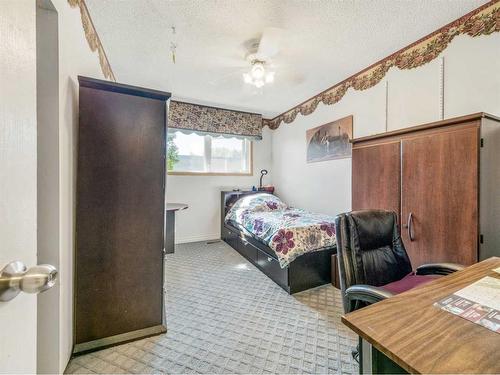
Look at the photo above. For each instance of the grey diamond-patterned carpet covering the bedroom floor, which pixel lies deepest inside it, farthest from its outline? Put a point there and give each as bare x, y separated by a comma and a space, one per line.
225, 316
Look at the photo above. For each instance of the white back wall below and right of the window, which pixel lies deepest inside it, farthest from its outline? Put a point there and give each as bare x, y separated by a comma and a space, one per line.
201, 221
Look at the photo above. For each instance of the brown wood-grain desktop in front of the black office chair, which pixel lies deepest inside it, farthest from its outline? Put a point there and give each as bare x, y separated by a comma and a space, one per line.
421, 338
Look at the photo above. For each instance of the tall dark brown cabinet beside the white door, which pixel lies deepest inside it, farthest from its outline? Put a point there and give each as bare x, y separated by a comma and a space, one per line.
120, 214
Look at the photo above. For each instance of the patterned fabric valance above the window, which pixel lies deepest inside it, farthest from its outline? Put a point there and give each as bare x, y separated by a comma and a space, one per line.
199, 118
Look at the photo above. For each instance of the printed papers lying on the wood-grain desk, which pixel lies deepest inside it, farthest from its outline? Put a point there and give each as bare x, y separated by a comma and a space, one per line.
478, 303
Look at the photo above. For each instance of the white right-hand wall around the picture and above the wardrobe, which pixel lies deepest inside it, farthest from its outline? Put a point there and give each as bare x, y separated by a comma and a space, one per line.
471, 84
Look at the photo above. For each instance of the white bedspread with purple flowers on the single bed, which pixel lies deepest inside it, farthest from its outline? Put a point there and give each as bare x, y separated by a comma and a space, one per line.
289, 231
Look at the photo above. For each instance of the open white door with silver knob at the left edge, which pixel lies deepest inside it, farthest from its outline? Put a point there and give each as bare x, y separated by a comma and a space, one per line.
18, 179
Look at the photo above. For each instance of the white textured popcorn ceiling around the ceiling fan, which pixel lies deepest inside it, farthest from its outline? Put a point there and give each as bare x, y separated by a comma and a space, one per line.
325, 42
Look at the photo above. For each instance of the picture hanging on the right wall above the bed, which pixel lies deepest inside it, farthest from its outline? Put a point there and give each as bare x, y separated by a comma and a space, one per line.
330, 141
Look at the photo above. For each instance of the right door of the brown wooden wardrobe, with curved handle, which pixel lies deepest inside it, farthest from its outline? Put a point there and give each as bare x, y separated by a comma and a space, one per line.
439, 209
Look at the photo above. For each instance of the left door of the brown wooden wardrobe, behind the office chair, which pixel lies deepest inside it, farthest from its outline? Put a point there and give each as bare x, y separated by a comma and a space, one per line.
376, 177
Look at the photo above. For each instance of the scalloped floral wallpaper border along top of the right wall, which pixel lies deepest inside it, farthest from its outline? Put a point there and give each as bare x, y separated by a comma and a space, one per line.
484, 20
